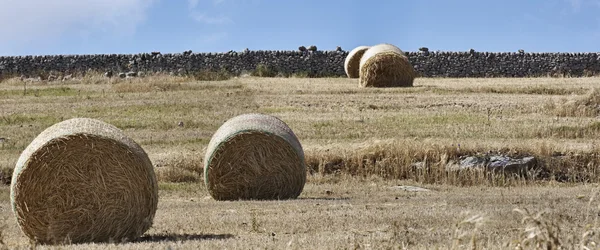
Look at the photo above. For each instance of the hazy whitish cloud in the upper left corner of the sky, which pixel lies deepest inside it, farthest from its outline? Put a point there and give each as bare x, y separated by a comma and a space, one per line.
35, 21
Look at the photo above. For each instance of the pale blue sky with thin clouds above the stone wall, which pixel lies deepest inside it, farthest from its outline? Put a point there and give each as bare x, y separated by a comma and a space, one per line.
36, 27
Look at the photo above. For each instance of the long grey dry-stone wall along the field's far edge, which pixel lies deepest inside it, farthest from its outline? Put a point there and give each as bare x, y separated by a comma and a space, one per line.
328, 63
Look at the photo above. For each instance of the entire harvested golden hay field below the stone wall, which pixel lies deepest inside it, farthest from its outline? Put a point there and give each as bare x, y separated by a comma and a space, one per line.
361, 145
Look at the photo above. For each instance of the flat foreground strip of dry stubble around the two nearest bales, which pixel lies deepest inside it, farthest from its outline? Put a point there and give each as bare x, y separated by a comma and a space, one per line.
347, 212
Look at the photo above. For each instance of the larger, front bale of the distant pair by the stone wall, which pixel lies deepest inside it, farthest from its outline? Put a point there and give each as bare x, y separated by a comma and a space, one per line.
385, 65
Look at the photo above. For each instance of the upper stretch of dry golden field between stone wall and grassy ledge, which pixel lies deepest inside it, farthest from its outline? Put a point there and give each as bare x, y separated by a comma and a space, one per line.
432, 118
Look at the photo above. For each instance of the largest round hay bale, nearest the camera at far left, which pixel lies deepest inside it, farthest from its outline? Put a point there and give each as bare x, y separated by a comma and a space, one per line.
81, 181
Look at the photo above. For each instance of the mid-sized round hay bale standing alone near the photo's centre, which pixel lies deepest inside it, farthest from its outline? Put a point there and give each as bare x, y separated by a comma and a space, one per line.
254, 156
